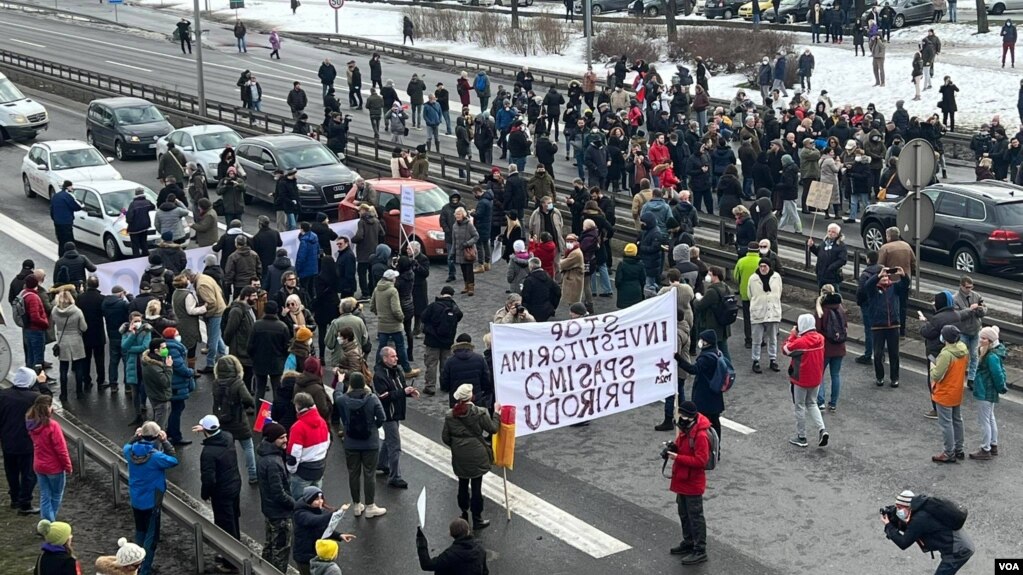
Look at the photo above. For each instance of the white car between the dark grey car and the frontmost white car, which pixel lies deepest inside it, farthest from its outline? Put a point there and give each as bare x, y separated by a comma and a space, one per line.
48, 165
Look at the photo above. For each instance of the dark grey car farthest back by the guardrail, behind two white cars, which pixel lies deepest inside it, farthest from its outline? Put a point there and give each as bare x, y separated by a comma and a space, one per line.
127, 126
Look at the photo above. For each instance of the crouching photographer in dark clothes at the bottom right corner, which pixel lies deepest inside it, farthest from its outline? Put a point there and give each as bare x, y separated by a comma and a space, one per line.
931, 524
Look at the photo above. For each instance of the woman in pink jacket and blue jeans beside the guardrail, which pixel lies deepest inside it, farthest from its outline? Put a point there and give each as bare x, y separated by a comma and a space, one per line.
52, 461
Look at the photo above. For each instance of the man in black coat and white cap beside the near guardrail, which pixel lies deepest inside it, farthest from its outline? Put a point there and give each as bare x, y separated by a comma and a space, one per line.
221, 482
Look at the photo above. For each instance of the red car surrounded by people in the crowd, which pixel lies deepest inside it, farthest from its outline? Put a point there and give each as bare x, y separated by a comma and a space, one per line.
429, 201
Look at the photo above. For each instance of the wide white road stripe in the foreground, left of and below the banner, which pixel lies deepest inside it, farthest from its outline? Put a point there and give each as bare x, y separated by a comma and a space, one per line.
548, 517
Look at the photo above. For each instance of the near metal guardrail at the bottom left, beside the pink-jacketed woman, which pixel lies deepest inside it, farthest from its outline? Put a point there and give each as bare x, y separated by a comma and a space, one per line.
88, 447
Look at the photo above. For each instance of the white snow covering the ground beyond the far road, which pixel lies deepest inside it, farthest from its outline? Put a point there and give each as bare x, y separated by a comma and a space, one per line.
972, 61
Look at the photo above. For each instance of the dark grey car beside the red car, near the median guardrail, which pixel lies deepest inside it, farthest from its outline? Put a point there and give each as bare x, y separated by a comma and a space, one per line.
324, 181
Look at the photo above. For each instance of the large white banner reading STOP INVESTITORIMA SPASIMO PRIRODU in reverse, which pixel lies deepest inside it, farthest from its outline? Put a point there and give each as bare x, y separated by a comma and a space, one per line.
563, 373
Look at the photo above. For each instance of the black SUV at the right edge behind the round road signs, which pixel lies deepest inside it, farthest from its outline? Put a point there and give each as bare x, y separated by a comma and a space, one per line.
977, 226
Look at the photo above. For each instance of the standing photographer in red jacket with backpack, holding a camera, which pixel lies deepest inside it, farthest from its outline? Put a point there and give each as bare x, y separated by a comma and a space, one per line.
690, 455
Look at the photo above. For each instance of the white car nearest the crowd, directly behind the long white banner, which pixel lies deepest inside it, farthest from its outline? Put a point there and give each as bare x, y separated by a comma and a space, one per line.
102, 225
